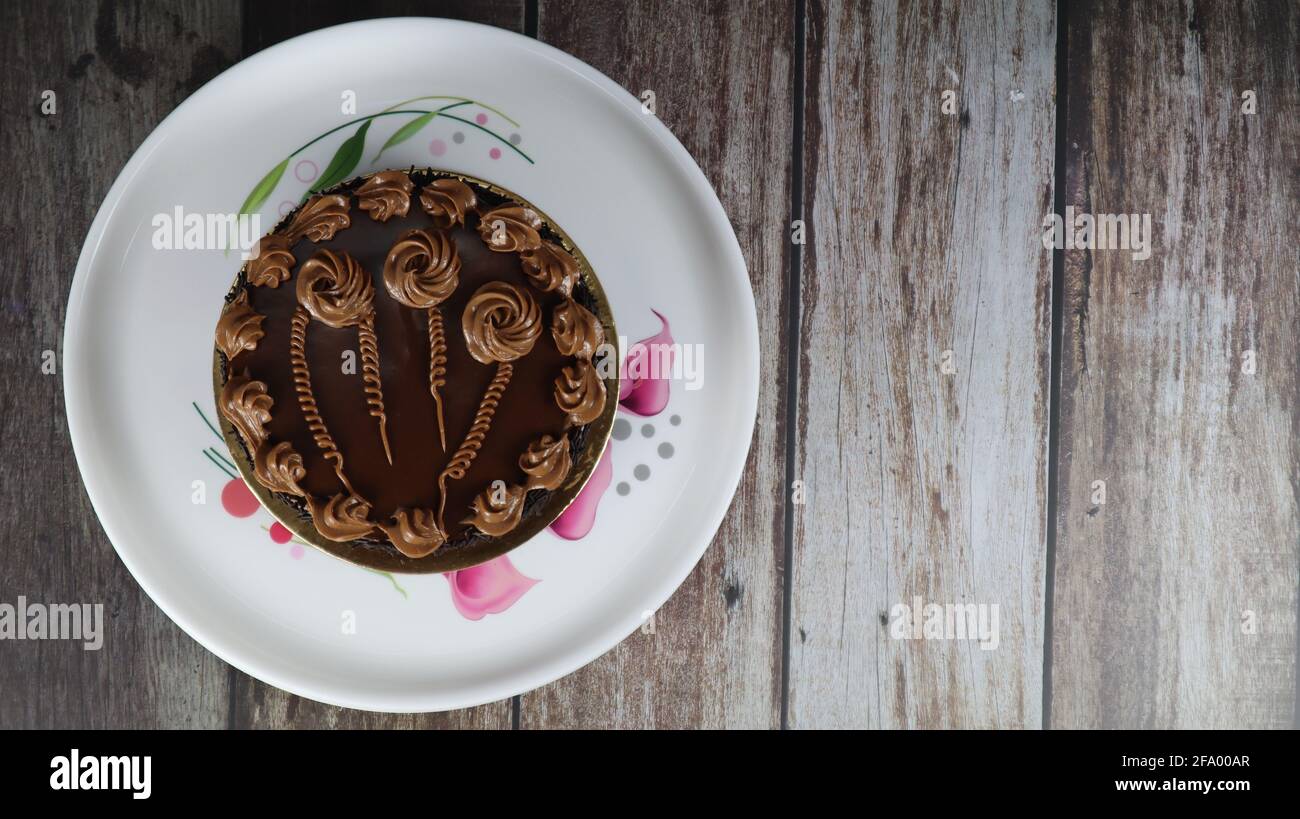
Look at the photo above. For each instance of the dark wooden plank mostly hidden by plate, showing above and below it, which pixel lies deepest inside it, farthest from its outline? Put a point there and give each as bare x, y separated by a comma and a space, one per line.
254, 704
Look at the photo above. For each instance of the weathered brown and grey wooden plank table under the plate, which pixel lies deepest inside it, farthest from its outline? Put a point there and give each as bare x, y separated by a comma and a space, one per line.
1106, 448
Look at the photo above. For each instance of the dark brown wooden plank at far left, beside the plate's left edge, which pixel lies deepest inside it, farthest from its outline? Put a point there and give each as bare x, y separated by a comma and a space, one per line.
116, 73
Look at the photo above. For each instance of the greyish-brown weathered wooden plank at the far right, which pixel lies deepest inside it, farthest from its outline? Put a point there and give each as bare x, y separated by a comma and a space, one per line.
1202, 521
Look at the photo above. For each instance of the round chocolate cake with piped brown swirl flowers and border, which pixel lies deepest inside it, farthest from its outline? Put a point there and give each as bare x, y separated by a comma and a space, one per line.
413, 371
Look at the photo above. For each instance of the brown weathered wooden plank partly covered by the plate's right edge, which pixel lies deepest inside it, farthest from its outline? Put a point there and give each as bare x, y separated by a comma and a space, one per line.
722, 84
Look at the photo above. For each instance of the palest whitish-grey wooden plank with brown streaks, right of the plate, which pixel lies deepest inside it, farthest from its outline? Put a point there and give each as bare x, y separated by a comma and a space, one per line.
922, 483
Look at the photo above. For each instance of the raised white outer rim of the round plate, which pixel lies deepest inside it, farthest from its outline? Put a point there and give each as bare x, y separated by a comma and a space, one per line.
608, 638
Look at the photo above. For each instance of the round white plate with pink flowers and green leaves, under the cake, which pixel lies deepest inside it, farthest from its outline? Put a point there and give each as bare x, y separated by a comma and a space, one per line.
138, 340
